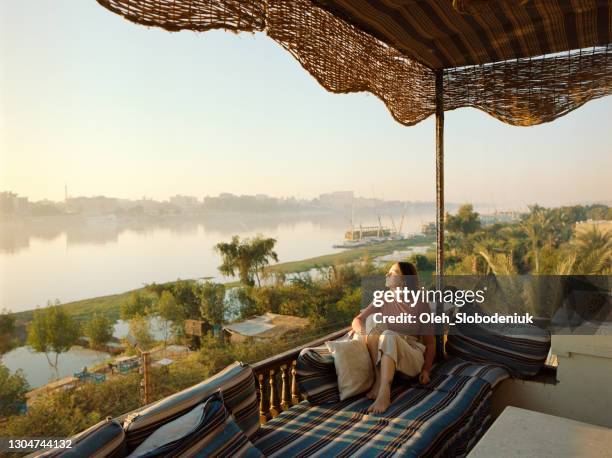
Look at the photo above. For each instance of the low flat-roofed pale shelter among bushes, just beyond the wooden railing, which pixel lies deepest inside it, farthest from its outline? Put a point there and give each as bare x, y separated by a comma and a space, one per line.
264, 327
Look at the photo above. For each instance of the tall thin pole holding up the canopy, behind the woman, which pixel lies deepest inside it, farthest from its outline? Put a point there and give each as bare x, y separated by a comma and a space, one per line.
439, 205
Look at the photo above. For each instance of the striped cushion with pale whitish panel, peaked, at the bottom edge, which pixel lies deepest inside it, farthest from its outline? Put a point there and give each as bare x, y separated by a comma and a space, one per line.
207, 431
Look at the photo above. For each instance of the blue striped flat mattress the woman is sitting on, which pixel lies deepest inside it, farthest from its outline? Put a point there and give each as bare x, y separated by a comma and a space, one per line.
444, 418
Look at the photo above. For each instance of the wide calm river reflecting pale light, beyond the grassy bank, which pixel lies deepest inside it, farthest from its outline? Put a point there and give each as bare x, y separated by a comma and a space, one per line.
71, 259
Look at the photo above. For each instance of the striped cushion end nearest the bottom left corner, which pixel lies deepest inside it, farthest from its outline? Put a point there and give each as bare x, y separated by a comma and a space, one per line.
104, 439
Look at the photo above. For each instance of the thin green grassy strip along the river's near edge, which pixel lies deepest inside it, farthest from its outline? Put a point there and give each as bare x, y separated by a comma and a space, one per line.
109, 305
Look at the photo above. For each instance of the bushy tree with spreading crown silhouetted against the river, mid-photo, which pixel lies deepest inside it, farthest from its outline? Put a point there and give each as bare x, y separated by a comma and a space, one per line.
248, 258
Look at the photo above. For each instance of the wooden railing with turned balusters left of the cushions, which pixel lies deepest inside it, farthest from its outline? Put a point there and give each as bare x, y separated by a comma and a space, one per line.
276, 378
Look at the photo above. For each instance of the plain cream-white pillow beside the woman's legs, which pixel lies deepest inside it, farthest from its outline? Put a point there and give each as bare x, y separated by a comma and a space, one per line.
353, 366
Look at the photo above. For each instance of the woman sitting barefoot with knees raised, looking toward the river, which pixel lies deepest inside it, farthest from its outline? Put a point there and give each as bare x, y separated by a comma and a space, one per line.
408, 348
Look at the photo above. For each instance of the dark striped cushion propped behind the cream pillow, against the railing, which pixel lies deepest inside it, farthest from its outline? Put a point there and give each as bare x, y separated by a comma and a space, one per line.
316, 375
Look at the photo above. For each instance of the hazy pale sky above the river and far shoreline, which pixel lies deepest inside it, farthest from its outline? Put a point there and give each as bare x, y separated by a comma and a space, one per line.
109, 107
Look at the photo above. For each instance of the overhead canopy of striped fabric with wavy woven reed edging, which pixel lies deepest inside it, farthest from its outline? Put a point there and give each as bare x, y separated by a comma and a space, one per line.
495, 55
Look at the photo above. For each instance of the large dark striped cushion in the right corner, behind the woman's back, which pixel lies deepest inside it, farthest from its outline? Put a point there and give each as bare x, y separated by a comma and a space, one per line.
521, 349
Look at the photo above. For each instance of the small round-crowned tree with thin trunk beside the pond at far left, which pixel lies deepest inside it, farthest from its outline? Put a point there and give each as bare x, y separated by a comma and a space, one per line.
52, 330
